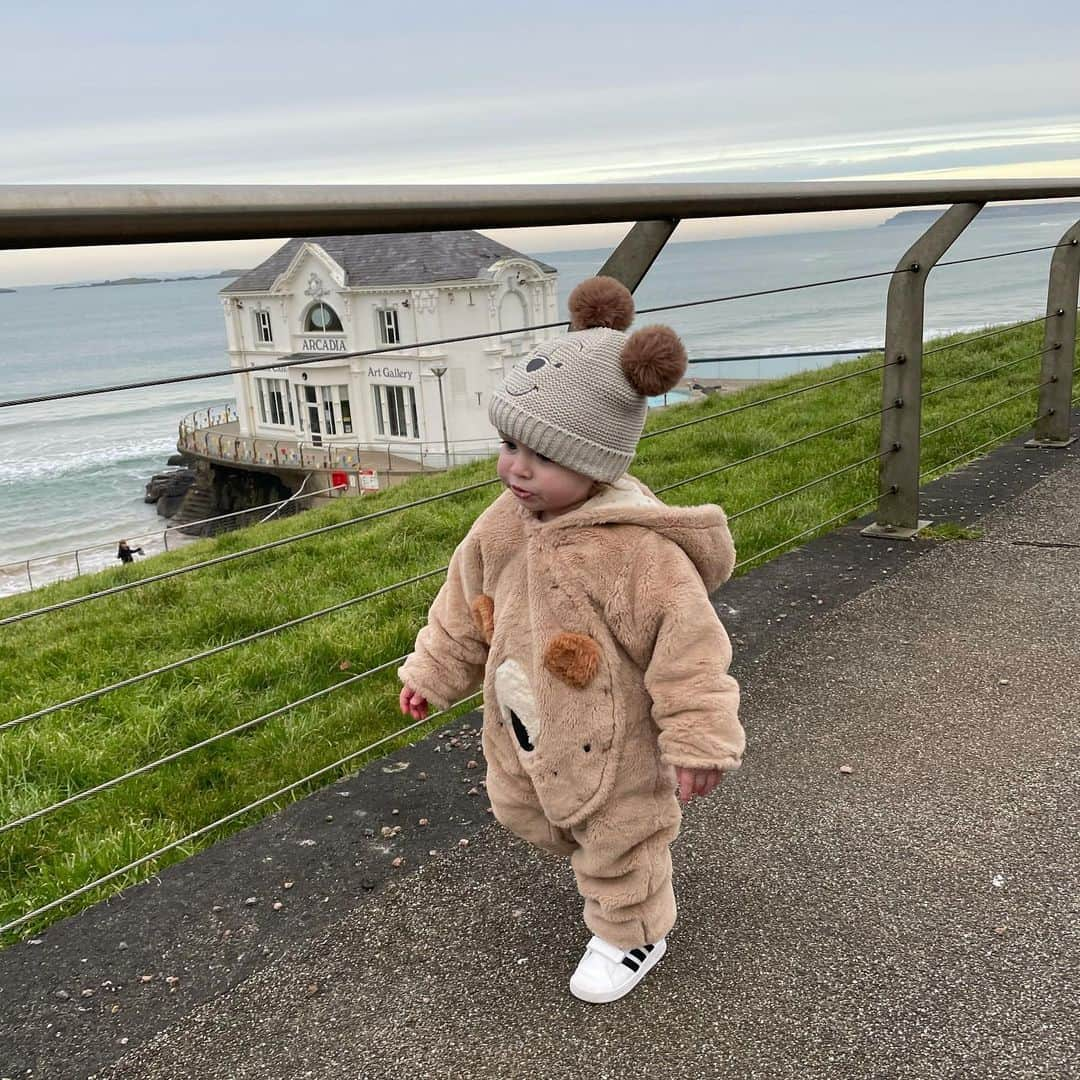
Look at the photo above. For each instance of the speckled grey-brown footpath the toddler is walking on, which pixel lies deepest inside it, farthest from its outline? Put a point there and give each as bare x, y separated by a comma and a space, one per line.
915, 917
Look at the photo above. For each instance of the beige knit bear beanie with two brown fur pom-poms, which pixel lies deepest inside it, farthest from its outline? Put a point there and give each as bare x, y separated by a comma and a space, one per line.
582, 399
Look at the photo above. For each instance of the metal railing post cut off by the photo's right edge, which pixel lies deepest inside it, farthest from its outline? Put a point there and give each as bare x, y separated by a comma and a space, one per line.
1052, 426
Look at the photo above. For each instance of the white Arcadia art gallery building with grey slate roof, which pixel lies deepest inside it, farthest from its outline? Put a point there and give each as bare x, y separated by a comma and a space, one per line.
347, 294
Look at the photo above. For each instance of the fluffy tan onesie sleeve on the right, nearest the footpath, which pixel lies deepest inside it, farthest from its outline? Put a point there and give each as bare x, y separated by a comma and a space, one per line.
685, 654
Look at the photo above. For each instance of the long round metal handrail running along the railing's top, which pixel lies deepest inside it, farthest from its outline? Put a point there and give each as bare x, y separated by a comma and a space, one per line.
64, 217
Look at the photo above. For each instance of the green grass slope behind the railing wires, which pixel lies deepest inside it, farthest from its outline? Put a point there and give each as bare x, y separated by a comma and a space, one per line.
59, 656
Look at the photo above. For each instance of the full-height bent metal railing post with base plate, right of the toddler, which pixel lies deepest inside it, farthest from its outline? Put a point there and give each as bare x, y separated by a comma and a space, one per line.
898, 512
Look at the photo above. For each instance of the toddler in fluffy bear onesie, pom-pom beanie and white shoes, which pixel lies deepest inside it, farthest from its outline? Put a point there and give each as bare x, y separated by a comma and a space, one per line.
580, 602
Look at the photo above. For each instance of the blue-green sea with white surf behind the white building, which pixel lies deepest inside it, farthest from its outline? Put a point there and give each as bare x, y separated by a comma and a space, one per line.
73, 472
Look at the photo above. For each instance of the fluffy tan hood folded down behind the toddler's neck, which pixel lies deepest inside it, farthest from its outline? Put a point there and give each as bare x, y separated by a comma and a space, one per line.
701, 532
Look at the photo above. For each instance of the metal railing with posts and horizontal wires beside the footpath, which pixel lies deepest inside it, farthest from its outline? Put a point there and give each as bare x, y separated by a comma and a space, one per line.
898, 460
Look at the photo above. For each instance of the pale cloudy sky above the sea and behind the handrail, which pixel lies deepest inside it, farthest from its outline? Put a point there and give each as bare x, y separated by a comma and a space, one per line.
327, 92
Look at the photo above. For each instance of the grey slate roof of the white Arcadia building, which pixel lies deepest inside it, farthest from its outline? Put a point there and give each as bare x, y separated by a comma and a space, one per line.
390, 259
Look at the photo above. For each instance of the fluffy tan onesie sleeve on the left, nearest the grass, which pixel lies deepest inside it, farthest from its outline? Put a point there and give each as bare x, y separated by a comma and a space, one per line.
448, 661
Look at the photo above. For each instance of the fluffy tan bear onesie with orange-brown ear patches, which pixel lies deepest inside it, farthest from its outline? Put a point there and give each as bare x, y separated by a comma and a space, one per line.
604, 667
